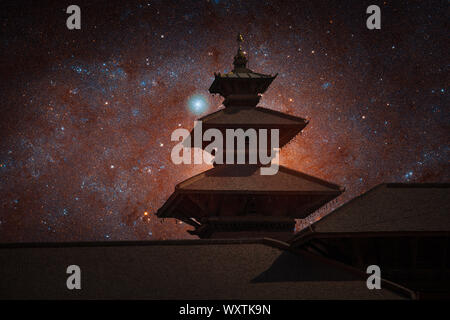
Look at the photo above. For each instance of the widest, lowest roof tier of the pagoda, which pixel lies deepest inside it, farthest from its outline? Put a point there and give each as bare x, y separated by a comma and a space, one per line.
239, 190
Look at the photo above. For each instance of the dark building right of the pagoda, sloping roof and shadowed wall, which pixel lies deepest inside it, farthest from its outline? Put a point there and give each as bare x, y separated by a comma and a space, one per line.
403, 228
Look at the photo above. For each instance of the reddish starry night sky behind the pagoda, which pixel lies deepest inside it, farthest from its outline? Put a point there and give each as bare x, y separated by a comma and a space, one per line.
86, 115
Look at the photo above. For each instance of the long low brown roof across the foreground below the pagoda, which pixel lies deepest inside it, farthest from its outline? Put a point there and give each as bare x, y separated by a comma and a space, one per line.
189, 269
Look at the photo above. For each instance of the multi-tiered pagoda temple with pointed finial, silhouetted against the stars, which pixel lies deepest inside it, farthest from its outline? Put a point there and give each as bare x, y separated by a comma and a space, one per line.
236, 200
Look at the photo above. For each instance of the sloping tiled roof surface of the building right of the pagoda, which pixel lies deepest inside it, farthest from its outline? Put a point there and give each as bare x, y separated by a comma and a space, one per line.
392, 207
